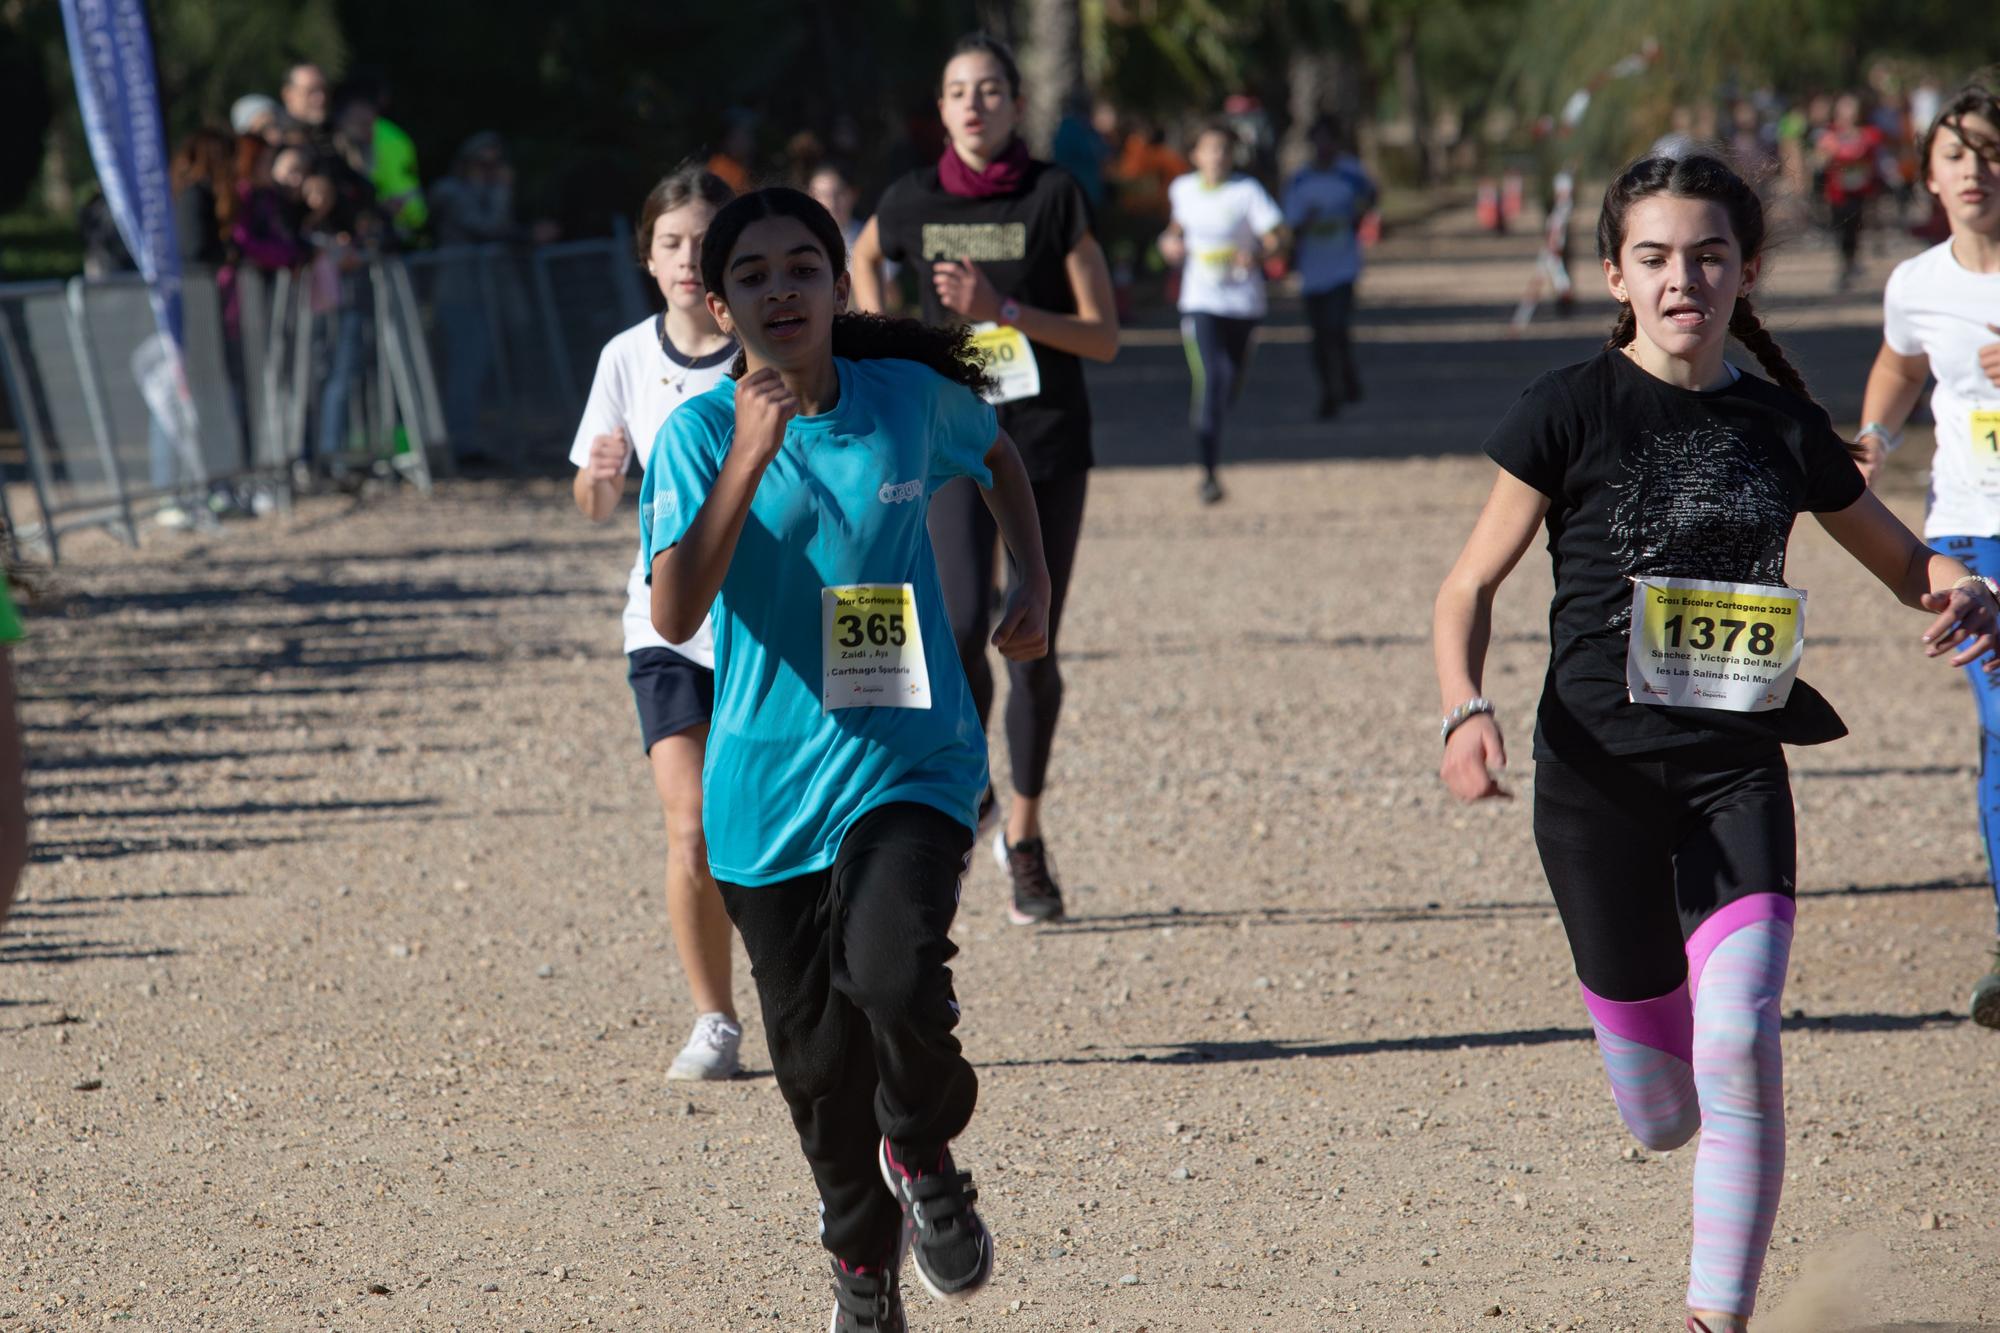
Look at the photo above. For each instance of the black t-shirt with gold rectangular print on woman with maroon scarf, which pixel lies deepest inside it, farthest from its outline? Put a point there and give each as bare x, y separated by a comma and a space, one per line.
1021, 243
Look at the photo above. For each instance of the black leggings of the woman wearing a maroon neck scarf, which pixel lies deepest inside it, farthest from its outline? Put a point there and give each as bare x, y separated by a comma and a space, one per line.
963, 535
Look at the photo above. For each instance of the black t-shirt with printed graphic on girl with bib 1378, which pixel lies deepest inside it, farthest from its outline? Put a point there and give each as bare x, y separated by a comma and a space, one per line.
1647, 479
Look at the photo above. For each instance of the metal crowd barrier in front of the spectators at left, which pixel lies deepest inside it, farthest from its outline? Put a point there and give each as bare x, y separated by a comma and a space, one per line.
453, 353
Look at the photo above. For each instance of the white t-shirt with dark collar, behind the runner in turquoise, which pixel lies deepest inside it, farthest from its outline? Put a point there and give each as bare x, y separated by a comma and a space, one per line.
641, 381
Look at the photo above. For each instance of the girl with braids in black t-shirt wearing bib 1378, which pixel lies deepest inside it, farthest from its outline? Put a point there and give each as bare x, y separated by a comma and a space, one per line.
1663, 812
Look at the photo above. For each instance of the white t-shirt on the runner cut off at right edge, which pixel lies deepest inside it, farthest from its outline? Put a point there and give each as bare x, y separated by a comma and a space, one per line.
1937, 309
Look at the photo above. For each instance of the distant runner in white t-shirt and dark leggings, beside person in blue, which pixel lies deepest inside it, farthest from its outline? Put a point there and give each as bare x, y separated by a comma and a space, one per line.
1225, 225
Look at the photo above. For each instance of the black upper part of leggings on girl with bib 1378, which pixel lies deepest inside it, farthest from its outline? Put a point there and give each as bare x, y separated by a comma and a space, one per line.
1643, 850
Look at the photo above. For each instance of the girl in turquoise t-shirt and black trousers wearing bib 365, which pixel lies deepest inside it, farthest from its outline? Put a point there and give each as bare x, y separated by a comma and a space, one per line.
845, 760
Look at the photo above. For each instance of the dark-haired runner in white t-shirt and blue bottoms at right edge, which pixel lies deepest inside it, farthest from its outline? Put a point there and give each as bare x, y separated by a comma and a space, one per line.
1941, 317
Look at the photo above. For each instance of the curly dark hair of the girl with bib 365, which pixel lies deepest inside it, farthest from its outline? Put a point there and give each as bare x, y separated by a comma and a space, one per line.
857, 337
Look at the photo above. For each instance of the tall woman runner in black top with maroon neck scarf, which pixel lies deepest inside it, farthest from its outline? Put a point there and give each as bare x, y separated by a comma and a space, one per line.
1003, 243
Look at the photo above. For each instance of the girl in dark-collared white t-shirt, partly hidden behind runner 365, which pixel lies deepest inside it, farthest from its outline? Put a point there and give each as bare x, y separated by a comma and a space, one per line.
643, 375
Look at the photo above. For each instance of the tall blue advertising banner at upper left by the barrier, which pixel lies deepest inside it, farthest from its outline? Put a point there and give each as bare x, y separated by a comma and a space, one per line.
111, 55
